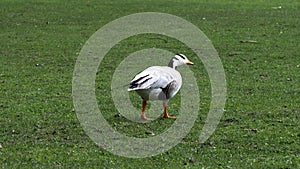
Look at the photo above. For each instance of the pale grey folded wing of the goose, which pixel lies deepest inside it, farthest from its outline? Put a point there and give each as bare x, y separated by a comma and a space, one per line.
151, 78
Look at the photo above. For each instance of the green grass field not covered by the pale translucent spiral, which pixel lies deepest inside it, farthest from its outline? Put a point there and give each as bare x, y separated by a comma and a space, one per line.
40, 42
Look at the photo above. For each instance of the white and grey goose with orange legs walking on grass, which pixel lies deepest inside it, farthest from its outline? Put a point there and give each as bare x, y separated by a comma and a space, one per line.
159, 83
